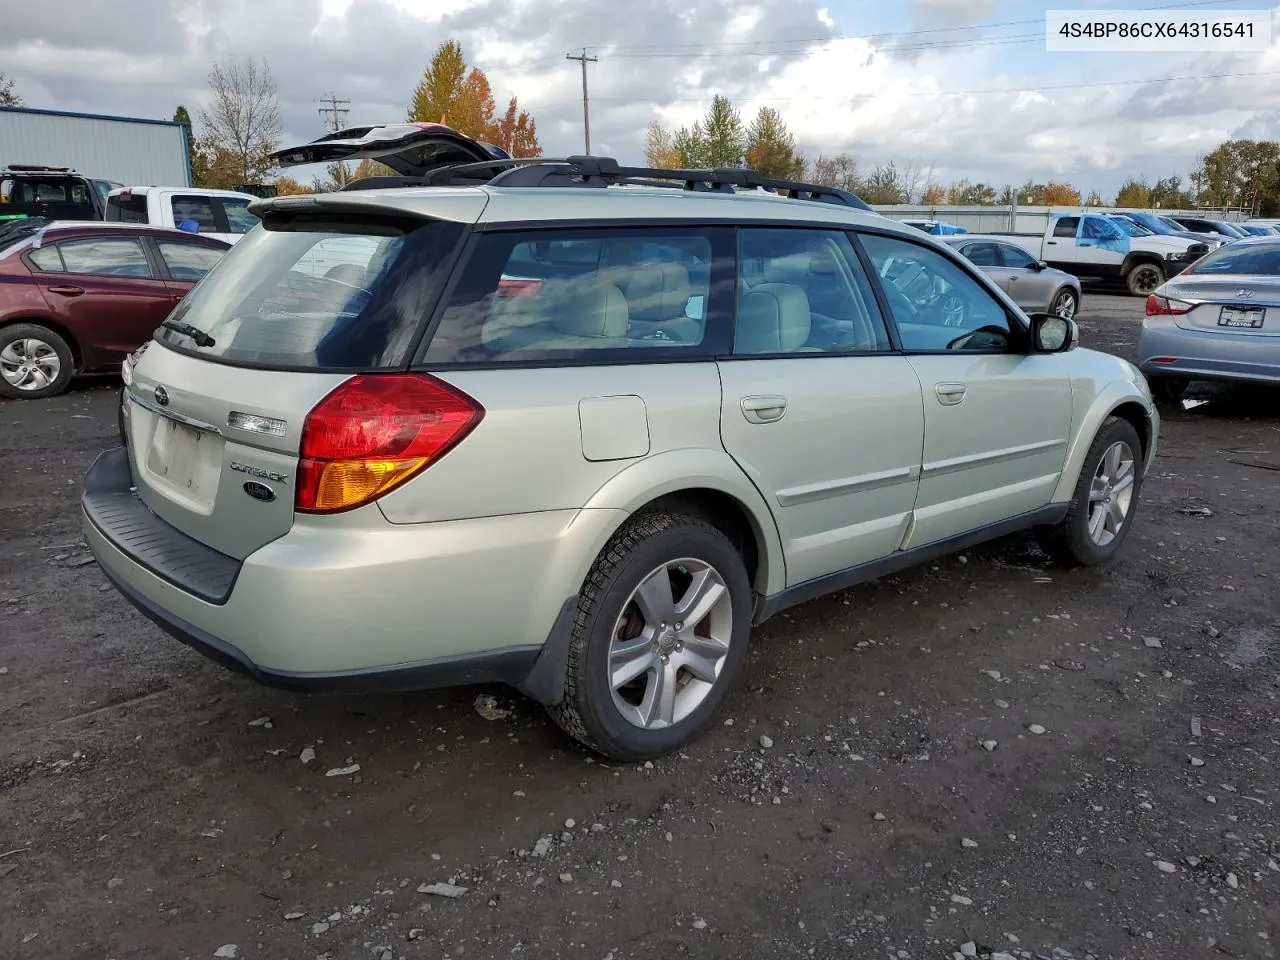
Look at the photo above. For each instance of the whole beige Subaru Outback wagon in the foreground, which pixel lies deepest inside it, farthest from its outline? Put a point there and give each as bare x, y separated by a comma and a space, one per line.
578, 428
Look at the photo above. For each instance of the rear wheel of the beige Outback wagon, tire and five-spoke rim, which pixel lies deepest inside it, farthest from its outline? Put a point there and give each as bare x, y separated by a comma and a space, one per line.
660, 637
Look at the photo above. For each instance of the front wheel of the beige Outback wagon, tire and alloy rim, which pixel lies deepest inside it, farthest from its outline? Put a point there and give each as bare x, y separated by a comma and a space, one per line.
1105, 501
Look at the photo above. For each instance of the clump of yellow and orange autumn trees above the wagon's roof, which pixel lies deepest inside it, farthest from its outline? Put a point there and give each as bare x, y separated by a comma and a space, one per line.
463, 99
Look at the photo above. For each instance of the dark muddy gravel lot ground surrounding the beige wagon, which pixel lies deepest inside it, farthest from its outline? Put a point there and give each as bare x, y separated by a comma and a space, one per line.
989, 756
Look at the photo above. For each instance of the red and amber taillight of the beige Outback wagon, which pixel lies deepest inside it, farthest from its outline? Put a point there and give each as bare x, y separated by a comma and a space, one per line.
374, 433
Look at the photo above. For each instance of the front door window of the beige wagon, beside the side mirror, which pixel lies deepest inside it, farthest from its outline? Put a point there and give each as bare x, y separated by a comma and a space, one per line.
938, 307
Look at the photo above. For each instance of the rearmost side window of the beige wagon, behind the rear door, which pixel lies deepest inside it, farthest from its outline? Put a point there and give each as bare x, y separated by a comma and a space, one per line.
611, 295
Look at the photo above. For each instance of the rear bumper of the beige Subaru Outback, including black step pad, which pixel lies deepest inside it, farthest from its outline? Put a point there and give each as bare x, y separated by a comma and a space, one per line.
350, 607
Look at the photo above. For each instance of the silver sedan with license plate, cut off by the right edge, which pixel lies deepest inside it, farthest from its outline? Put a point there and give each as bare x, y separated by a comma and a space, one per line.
1218, 321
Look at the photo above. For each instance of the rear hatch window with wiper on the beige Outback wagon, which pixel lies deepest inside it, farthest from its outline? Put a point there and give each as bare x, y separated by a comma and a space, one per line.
318, 294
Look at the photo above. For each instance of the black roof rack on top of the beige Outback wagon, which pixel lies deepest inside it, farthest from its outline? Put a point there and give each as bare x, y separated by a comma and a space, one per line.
605, 172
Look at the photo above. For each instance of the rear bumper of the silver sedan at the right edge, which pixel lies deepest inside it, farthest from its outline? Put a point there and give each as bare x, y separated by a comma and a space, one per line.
1208, 356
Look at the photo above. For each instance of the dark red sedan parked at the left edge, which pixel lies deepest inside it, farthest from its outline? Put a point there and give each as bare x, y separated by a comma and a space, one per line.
79, 298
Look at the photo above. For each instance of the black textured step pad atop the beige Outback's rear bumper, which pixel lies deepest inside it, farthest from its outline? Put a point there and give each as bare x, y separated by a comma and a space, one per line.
136, 532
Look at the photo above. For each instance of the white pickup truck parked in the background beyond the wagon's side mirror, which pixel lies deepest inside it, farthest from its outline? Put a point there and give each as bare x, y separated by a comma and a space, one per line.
1091, 245
